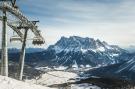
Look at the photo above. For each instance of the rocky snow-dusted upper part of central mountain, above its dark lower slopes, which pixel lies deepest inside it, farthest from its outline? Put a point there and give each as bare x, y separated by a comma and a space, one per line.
75, 43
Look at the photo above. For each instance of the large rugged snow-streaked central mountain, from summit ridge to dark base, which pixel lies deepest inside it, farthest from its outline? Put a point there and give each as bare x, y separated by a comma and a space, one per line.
85, 51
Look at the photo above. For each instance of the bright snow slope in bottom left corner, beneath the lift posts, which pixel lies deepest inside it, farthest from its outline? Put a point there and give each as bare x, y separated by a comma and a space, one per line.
9, 83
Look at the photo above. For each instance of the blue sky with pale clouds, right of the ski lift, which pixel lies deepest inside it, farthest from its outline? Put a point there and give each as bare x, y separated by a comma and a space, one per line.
108, 20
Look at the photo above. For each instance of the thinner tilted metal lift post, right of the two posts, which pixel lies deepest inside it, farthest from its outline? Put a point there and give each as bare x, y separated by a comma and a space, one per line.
22, 57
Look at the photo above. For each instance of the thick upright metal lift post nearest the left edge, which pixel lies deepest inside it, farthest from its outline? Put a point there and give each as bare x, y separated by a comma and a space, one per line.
4, 54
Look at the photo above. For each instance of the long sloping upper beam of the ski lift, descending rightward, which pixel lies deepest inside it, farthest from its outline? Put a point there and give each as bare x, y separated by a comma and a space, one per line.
18, 14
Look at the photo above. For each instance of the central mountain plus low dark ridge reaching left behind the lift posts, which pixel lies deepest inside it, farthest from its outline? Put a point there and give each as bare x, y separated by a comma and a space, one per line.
76, 52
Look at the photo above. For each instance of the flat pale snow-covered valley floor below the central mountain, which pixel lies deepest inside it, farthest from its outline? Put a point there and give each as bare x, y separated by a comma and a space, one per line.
54, 77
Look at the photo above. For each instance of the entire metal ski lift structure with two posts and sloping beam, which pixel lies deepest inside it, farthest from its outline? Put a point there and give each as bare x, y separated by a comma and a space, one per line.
23, 23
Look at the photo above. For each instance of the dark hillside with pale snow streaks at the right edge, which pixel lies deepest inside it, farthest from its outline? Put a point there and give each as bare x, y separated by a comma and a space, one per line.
124, 70
